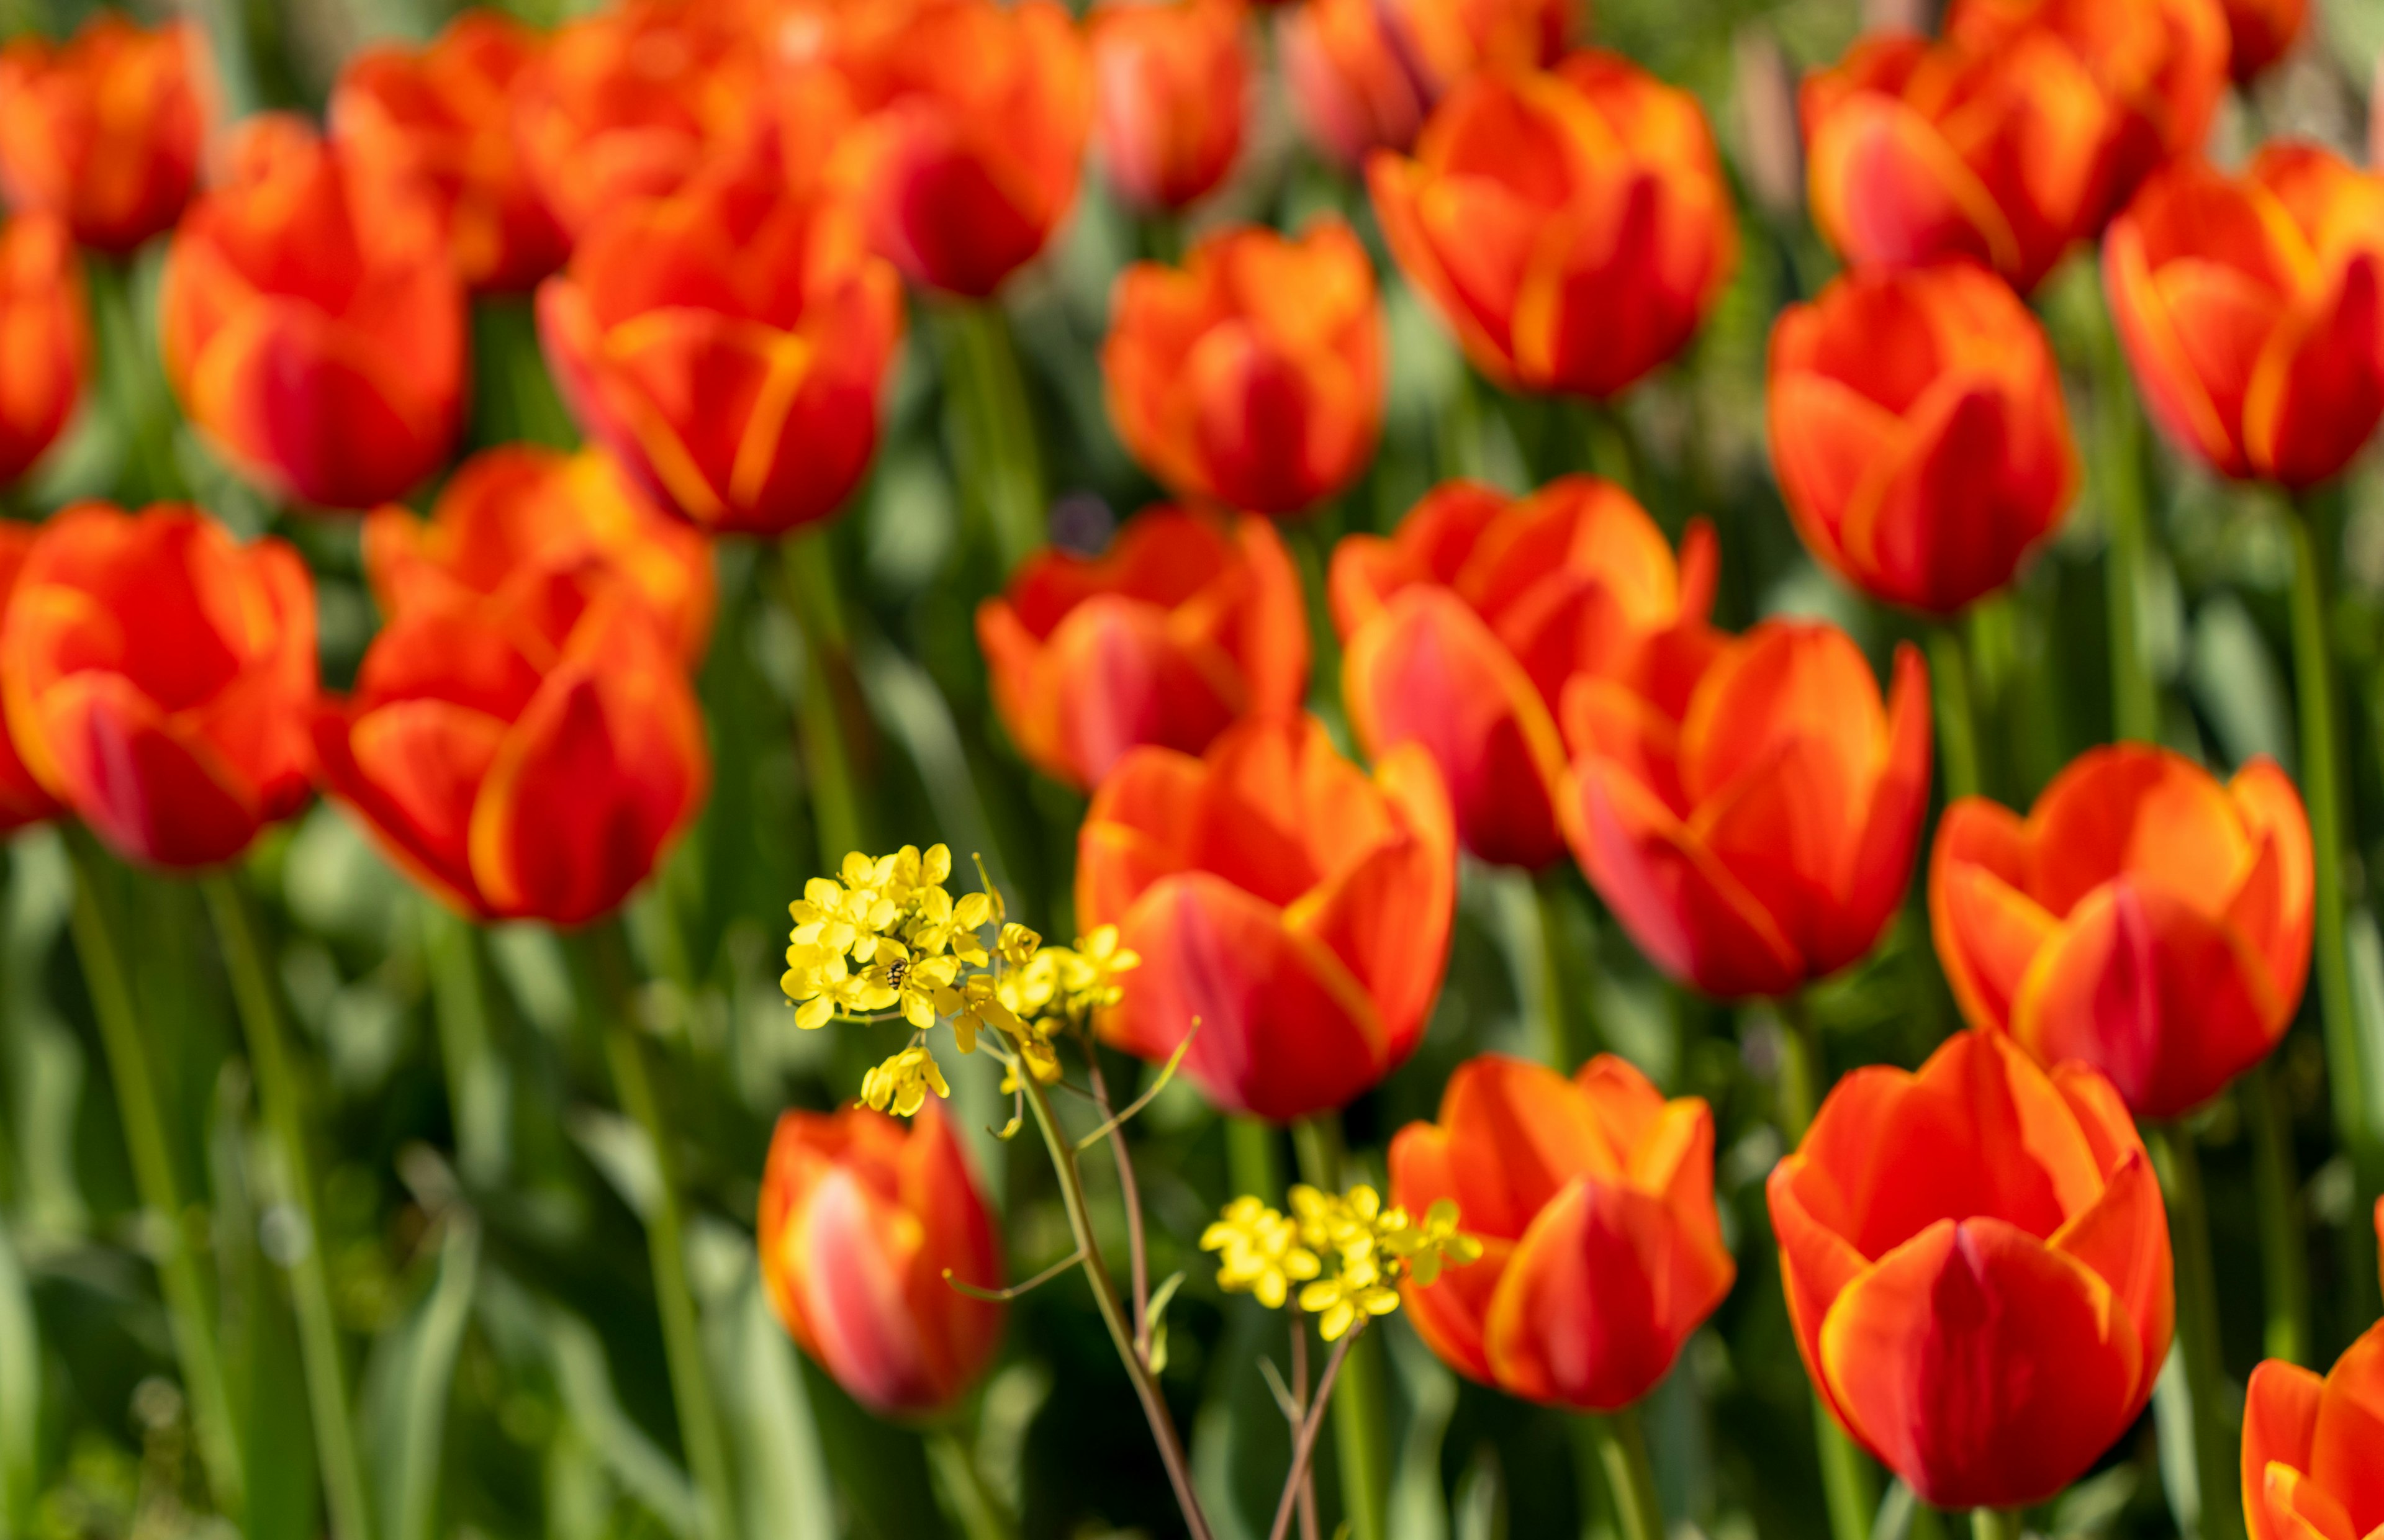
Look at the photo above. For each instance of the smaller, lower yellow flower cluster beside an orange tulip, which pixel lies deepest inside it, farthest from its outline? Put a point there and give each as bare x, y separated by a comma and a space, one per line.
1370, 1250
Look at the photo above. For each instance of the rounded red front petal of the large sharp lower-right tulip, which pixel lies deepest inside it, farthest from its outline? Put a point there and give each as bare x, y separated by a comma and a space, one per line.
1982, 1367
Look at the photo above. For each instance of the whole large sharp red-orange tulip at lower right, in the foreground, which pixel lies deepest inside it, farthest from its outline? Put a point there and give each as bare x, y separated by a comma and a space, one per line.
1978, 1269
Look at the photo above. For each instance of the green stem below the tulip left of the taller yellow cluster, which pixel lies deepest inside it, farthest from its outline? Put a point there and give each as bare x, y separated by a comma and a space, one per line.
666, 1236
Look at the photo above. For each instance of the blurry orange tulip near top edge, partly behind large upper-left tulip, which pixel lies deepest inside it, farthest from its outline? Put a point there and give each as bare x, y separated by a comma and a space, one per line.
442, 116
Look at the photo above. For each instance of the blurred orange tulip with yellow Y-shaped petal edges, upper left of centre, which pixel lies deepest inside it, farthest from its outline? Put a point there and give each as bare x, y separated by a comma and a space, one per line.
728, 344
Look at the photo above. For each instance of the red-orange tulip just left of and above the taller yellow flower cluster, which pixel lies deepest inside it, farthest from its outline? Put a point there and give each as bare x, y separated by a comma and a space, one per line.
528, 757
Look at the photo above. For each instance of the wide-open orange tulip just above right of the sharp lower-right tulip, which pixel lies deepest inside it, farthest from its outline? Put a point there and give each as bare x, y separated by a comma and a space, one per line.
2144, 919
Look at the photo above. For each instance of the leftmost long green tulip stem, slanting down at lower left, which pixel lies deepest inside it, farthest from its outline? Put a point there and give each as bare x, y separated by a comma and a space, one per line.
154, 1176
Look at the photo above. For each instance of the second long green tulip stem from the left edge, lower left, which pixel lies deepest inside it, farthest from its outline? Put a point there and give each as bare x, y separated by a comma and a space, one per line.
311, 1281
